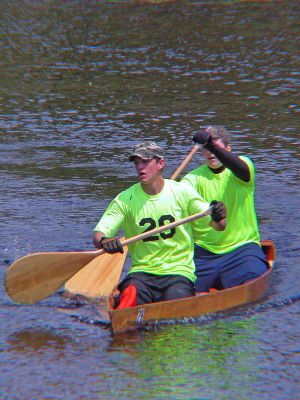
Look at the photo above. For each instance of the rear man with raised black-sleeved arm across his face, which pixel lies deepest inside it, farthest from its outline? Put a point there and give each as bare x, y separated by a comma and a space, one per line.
229, 258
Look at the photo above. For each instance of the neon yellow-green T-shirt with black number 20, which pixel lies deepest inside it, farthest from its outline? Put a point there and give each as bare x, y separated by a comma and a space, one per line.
168, 253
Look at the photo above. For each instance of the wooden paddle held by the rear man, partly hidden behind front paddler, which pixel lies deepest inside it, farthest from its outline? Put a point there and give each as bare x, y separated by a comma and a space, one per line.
100, 276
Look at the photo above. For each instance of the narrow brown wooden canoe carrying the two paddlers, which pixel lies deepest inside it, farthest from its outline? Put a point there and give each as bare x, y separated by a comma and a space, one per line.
215, 301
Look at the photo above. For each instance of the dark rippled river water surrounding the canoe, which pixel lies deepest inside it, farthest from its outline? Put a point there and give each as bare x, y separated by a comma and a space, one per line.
81, 83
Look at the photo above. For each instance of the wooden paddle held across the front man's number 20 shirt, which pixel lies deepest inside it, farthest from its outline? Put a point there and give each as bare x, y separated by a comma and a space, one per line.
36, 276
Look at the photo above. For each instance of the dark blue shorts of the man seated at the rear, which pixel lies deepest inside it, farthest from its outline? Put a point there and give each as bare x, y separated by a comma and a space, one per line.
223, 271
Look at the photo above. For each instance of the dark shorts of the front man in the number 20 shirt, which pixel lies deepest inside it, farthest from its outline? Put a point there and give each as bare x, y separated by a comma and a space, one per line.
152, 288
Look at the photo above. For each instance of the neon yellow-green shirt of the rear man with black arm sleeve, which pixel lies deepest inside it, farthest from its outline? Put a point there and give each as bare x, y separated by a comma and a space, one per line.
238, 197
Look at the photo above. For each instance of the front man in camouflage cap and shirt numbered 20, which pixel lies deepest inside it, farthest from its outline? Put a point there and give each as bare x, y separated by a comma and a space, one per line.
162, 265
